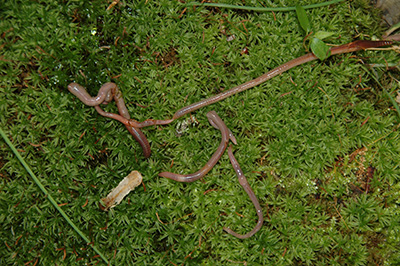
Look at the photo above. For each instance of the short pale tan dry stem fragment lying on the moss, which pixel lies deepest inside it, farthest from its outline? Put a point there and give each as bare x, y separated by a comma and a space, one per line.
128, 184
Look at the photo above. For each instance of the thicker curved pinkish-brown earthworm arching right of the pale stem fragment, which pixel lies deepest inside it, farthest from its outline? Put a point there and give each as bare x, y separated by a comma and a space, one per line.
216, 122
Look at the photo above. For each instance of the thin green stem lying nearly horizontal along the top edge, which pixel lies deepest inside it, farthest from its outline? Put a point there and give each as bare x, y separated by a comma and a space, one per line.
263, 9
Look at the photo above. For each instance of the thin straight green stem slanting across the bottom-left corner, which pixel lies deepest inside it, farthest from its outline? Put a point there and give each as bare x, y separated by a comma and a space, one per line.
49, 197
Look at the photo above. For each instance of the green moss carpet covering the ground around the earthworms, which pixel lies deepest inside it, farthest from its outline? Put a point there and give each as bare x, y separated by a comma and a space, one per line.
319, 144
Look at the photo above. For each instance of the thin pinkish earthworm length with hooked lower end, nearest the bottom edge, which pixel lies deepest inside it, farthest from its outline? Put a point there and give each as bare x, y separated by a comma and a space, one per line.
246, 186
